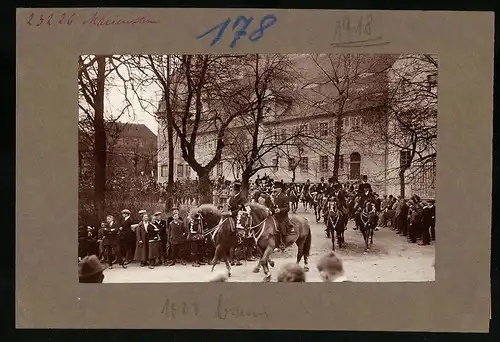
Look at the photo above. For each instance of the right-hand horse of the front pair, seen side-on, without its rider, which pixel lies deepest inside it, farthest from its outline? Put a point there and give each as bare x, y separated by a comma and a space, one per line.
262, 226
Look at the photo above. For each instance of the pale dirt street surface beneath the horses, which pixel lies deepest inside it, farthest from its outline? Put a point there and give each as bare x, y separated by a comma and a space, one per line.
391, 259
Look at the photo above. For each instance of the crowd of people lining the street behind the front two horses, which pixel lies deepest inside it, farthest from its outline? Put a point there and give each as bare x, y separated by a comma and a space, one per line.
153, 239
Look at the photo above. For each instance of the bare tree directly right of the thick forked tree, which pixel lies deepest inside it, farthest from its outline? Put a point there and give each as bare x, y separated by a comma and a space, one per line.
265, 96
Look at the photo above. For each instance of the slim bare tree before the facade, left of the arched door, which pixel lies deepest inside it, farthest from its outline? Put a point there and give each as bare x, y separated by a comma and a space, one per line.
342, 85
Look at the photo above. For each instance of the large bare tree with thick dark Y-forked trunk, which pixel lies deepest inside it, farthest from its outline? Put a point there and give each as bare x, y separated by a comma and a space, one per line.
198, 103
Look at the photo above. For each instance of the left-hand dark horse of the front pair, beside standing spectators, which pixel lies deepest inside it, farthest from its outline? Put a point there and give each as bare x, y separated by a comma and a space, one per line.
220, 228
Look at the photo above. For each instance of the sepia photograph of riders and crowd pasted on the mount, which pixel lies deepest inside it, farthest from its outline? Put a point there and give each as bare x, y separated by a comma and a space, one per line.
257, 168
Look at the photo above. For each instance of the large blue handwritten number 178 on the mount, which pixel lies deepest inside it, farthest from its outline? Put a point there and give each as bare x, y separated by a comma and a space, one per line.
240, 26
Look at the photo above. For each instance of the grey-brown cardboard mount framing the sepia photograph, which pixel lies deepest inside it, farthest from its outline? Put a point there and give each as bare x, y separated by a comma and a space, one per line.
48, 294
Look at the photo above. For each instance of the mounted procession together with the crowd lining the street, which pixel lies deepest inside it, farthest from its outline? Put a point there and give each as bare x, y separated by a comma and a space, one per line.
256, 226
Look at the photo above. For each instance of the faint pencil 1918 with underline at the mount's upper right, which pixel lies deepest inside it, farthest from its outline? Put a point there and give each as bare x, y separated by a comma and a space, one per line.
351, 32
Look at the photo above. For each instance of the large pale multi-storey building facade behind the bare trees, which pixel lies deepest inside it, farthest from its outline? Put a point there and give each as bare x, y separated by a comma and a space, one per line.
317, 120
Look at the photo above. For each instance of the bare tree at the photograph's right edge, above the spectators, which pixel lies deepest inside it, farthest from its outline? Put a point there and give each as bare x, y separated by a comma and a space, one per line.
410, 123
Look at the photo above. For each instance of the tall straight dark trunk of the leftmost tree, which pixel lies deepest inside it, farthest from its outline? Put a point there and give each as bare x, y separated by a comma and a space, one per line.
100, 140
